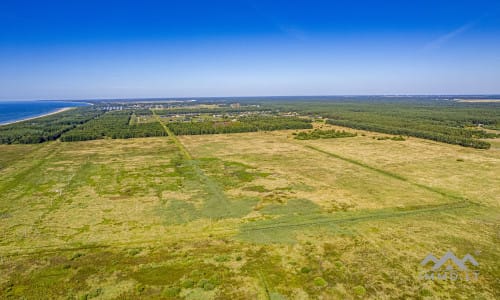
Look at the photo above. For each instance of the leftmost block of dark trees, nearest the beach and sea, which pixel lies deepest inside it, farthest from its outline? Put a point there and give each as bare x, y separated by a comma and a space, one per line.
47, 128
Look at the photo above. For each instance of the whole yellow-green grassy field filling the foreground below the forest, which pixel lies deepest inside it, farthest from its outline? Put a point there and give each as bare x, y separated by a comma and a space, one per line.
246, 216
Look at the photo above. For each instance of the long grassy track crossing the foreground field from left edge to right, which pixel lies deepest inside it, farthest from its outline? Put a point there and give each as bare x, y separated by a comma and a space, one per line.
286, 224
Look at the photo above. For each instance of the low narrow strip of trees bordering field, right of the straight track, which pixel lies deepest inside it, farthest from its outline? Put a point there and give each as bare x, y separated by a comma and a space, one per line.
243, 124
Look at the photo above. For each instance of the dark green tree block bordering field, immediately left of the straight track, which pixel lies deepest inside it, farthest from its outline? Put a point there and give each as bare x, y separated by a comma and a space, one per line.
115, 125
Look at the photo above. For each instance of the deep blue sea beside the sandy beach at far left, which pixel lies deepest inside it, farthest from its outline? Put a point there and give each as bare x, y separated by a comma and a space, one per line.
11, 111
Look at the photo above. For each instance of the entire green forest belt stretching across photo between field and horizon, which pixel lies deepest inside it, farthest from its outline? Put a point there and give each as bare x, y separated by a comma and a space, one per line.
440, 120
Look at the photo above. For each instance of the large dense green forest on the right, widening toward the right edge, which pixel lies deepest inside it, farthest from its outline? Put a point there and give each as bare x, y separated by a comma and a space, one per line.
444, 121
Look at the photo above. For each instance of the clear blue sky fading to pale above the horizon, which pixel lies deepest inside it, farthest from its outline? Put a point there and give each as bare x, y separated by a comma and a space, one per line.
112, 49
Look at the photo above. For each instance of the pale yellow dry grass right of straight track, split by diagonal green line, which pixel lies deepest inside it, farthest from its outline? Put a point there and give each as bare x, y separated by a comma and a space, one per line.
327, 179
